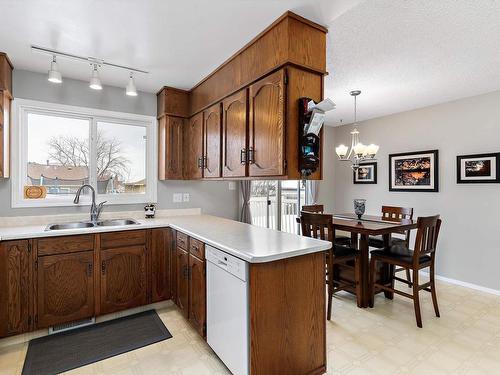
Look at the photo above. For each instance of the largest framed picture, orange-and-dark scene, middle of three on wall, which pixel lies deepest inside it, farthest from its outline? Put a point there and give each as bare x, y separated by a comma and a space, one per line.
414, 171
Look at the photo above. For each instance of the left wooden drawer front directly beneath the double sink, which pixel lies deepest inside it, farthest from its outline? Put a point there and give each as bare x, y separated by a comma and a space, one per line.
66, 244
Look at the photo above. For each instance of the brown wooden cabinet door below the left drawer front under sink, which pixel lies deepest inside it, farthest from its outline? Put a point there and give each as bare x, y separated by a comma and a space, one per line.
65, 289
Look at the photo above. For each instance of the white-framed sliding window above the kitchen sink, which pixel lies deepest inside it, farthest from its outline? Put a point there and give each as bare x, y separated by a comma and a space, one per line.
61, 148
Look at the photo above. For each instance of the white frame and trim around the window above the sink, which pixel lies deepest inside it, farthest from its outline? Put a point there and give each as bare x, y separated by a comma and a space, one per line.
20, 108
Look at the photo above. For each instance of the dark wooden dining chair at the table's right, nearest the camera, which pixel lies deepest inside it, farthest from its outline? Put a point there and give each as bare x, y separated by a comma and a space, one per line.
422, 256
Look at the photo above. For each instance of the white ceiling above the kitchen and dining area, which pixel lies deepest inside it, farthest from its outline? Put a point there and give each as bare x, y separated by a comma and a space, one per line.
402, 54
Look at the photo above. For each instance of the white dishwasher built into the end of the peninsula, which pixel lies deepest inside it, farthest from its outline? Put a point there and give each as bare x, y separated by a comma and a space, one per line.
227, 309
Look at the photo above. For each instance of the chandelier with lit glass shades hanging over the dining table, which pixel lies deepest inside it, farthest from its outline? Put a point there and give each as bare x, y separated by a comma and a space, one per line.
358, 152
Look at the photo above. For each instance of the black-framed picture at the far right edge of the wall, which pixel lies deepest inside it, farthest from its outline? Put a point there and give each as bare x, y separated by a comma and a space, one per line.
479, 168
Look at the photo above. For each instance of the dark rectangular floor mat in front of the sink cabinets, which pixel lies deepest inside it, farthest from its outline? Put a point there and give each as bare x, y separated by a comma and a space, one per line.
68, 350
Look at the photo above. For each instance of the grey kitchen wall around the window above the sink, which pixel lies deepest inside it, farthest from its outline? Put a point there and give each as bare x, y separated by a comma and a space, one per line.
214, 197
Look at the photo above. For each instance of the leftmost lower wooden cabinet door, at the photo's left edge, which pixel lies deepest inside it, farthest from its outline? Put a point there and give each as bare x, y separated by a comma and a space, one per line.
15, 287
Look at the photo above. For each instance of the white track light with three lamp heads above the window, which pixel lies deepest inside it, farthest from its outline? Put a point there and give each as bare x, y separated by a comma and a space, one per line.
95, 81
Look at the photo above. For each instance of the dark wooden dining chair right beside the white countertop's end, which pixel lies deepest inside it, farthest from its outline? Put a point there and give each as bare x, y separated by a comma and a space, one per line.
320, 226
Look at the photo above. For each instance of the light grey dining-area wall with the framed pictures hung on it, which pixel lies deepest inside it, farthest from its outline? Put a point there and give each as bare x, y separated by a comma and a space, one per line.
468, 248
